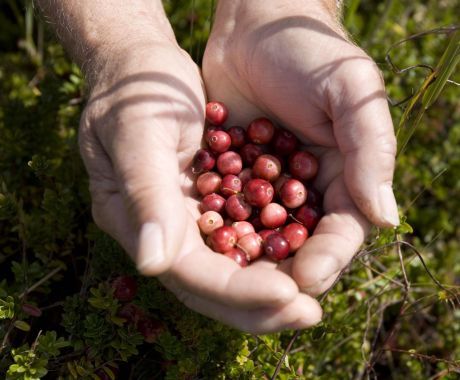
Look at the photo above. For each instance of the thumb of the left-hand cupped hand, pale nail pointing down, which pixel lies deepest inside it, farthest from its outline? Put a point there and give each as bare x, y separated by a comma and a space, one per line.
152, 194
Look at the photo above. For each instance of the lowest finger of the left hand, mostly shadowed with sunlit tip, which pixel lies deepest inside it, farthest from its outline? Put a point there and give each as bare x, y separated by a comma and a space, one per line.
302, 312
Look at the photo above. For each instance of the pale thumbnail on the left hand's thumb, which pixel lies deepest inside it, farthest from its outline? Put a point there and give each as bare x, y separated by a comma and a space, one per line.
151, 248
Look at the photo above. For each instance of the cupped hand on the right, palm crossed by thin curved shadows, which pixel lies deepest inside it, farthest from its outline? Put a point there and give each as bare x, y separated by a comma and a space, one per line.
291, 61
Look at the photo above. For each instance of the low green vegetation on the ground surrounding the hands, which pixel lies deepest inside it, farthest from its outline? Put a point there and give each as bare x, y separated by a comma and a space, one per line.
58, 316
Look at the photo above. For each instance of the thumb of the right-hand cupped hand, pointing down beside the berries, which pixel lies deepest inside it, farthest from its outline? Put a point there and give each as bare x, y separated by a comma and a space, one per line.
364, 132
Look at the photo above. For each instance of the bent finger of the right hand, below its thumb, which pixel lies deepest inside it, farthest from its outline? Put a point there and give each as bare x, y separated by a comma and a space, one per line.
336, 239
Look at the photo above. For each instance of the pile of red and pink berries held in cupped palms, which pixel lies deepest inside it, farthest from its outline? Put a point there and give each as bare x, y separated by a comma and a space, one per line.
256, 191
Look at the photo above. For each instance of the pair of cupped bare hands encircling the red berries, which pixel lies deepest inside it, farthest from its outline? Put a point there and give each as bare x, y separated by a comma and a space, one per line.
145, 120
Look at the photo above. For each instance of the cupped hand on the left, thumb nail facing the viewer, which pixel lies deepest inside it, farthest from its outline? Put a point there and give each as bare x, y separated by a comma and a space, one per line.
139, 132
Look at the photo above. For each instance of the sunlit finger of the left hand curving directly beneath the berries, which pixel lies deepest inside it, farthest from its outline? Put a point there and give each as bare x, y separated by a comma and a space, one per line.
250, 287
